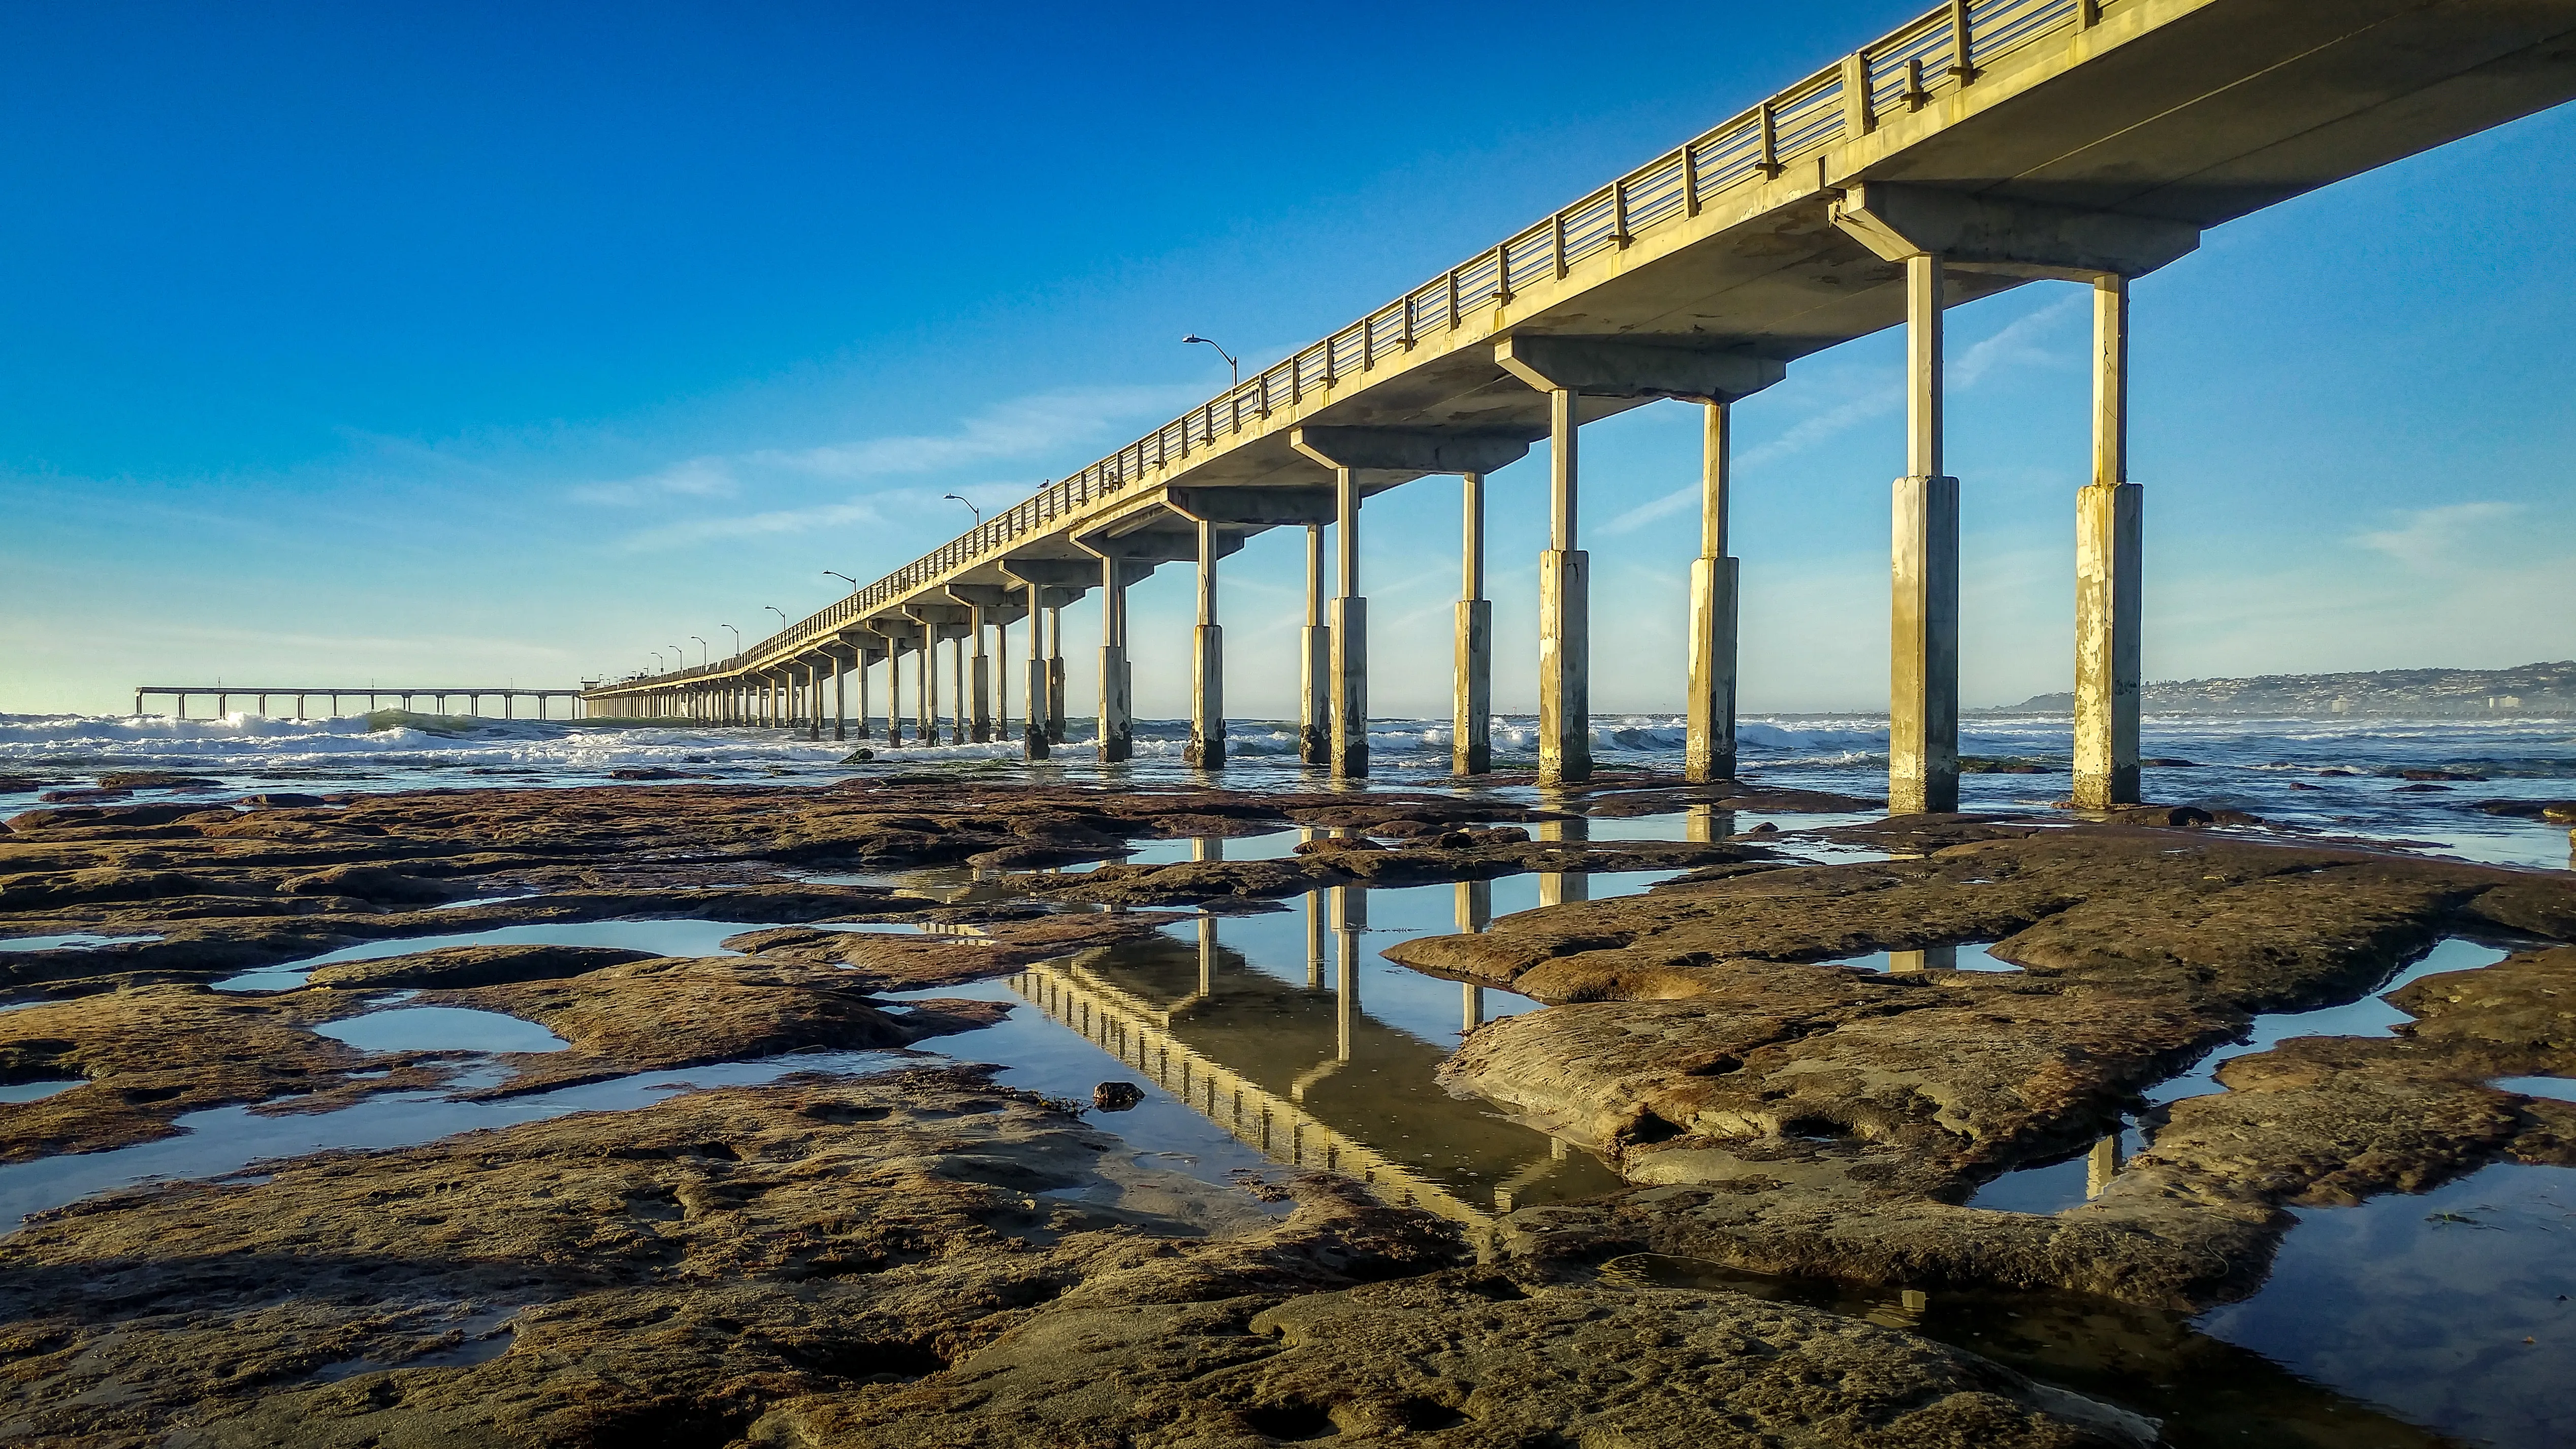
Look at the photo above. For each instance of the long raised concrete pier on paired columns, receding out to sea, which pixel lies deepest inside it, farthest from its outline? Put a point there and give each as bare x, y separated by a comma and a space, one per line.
1982, 148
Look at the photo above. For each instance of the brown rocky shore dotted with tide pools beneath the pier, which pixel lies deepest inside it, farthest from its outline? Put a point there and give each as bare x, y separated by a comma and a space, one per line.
926, 1257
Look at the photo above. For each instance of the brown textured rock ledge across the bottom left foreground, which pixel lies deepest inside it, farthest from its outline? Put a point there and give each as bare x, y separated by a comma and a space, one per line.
898, 1262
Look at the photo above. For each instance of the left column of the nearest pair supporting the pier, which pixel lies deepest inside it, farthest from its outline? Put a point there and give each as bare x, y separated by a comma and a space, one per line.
1923, 625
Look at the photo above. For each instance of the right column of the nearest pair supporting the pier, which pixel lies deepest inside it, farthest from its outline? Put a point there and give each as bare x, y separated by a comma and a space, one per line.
2108, 592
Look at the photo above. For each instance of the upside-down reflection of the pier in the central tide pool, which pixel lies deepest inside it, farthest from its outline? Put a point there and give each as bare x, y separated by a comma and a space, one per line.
1294, 1035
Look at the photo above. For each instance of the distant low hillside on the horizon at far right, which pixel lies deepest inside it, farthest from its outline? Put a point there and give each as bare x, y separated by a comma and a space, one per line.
2425, 695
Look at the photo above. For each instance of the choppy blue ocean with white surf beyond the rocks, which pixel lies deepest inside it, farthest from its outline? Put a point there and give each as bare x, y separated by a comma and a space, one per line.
2333, 777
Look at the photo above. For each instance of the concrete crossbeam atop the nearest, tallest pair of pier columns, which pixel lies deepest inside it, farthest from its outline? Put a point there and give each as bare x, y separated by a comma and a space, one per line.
2013, 238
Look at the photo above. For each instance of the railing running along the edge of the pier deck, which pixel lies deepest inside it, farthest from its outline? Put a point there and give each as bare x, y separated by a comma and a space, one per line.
1902, 71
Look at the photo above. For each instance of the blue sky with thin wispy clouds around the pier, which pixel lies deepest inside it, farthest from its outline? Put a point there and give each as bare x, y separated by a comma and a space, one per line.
506, 344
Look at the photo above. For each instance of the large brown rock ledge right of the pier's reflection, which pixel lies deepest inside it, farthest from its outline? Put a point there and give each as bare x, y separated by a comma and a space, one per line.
1792, 1115
